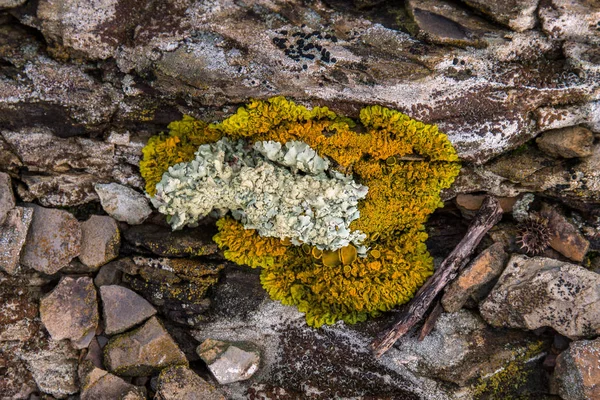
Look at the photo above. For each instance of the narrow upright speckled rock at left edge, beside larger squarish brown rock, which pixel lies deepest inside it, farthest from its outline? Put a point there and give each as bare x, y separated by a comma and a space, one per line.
13, 233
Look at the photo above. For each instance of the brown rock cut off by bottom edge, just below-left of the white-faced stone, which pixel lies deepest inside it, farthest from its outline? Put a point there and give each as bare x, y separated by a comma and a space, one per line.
181, 383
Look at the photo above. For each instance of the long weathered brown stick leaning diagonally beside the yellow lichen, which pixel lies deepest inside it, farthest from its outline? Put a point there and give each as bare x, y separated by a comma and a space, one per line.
487, 216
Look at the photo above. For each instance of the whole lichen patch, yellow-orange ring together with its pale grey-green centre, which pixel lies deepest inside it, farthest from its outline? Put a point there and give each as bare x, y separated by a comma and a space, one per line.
403, 163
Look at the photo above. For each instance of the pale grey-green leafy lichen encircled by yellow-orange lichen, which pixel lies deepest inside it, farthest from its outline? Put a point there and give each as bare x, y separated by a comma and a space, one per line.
287, 191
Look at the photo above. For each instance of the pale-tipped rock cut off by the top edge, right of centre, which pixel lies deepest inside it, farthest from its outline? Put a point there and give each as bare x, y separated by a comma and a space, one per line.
518, 15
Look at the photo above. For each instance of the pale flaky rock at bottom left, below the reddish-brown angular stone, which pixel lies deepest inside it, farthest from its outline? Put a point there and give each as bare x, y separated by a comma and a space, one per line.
54, 368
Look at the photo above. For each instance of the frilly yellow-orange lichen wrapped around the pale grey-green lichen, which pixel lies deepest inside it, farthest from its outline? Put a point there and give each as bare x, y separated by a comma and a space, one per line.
404, 163
